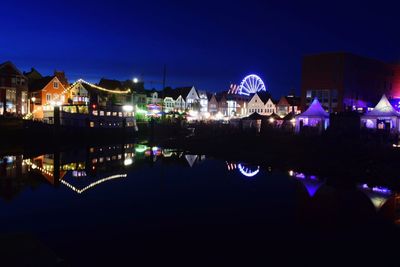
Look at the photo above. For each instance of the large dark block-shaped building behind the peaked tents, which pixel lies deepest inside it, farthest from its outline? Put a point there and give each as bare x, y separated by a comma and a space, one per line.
344, 81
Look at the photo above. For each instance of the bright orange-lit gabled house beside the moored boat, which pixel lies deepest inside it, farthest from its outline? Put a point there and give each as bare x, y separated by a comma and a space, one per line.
47, 92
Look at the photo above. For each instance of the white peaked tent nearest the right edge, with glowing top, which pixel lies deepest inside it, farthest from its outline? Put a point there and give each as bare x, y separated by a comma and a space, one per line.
383, 116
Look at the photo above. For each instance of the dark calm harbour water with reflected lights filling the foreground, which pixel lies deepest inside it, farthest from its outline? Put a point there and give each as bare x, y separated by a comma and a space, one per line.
136, 205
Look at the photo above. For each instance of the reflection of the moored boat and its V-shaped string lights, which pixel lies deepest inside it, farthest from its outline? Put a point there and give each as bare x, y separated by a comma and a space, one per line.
82, 170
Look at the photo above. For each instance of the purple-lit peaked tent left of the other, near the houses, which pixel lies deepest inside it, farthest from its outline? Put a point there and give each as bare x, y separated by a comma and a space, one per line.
315, 116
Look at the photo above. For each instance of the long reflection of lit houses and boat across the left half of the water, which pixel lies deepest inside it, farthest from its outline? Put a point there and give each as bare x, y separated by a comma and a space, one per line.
83, 169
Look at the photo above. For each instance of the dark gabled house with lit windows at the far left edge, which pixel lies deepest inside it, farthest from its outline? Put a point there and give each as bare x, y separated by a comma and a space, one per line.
13, 90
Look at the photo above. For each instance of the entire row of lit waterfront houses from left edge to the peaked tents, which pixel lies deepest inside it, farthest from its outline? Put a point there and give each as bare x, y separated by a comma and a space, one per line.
31, 92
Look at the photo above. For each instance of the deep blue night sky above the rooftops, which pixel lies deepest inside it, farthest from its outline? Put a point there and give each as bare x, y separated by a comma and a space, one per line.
208, 44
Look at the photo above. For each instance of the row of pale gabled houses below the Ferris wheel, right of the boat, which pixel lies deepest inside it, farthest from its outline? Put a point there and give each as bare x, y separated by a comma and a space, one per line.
223, 103
